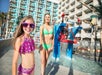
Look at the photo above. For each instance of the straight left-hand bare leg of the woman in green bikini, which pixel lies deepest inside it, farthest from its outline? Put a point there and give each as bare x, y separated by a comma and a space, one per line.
43, 61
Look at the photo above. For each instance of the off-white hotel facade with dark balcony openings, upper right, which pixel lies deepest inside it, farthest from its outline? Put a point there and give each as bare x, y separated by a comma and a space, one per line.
75, 10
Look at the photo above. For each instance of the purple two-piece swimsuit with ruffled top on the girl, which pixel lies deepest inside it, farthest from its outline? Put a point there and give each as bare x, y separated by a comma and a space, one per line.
26, 47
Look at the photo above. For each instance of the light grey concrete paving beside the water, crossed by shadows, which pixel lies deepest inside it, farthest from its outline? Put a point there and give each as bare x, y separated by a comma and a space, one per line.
53, 68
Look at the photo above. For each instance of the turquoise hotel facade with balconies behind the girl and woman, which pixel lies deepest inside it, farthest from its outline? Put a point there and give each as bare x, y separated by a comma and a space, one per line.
36, 8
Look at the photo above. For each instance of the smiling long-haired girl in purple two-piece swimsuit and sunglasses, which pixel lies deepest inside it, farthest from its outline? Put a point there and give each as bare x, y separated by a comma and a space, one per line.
24, 46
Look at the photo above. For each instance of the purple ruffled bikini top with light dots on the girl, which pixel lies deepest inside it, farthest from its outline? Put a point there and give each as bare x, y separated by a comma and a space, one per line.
27, 46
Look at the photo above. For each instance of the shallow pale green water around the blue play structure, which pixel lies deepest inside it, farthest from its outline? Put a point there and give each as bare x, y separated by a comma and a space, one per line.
79, 63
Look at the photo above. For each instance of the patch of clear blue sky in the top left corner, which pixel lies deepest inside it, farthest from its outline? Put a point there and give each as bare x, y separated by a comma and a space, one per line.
4, 5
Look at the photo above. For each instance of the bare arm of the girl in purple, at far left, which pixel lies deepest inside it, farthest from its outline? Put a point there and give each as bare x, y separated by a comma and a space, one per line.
15, 57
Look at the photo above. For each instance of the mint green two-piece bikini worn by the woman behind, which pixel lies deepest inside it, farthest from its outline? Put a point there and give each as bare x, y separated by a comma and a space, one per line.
46, 32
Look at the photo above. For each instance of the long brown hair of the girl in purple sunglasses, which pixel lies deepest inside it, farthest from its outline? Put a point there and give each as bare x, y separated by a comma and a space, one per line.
19, 30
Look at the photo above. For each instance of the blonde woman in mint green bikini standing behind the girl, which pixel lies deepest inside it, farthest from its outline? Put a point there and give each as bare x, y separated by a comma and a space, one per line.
46, 41
